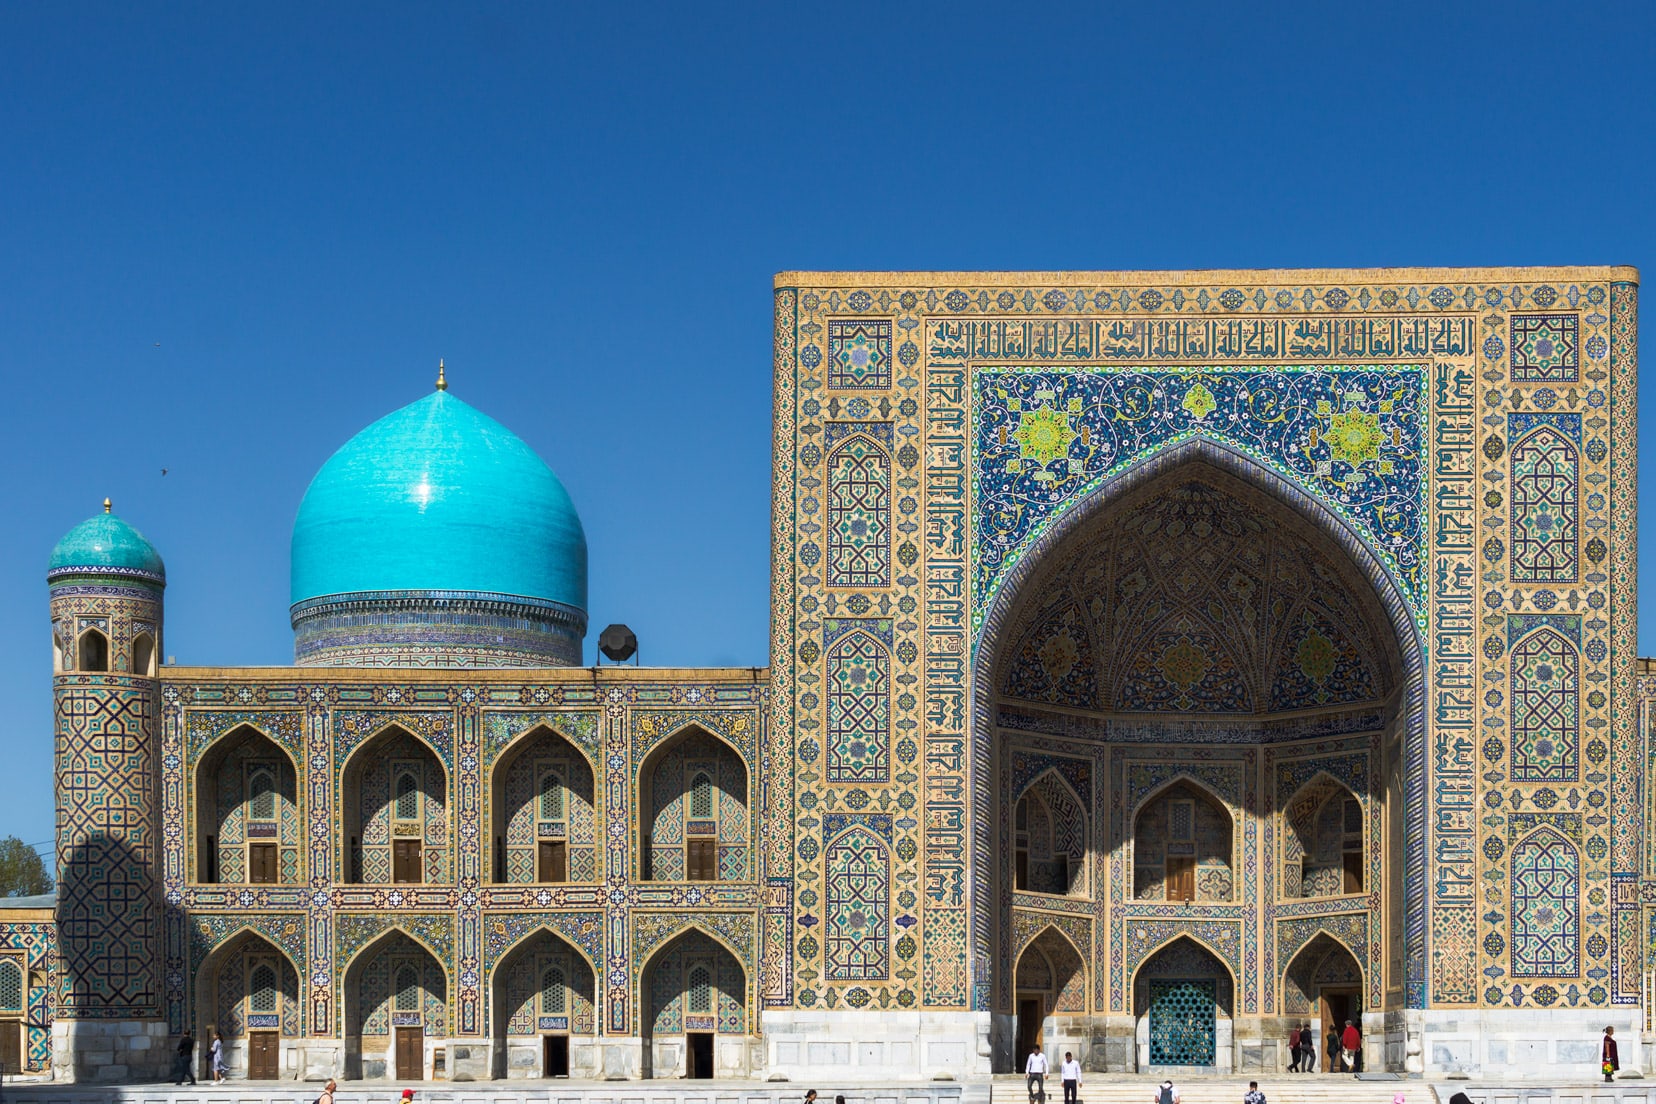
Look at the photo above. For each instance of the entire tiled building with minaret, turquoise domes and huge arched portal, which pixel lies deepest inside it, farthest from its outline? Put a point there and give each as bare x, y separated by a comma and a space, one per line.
1160, 661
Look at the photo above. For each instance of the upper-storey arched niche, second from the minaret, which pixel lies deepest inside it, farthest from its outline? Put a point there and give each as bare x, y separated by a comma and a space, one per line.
395, 795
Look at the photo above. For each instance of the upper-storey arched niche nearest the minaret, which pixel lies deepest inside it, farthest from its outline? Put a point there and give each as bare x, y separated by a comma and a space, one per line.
249, 830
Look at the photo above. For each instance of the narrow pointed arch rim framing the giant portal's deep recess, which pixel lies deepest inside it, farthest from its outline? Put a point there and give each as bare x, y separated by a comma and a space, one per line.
1398, 640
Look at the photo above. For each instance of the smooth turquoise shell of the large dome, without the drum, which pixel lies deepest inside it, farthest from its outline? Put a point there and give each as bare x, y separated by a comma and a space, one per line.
440, 497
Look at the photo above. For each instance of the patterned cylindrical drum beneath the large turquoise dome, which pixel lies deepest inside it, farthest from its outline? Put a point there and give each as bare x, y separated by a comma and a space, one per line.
436, 630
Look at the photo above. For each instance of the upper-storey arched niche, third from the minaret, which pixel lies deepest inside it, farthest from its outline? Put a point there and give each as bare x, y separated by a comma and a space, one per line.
542, 814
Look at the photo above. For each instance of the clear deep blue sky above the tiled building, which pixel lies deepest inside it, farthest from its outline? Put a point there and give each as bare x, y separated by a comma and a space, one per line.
234, 236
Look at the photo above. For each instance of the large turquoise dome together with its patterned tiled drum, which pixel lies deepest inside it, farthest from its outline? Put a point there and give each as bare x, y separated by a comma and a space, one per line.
430, 535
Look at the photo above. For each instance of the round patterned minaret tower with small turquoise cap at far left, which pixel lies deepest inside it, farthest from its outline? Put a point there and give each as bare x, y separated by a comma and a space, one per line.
107, 585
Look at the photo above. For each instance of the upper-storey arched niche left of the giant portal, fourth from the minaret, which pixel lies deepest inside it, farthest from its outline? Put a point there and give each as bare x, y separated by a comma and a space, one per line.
695, 812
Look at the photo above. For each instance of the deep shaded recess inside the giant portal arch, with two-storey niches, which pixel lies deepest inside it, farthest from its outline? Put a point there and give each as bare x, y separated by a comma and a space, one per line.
1198, 736
